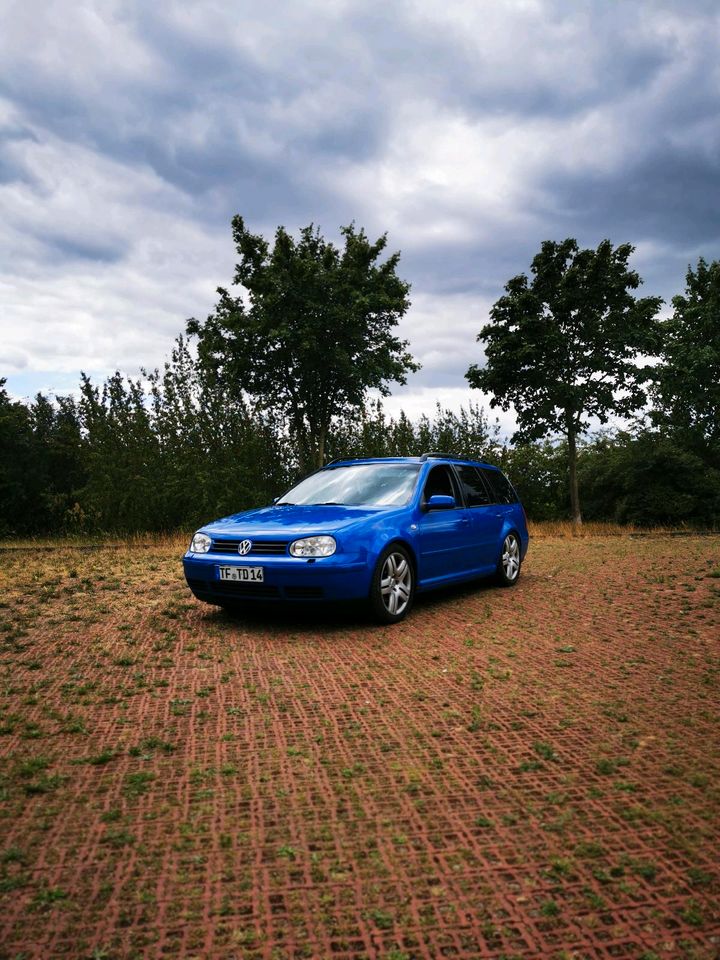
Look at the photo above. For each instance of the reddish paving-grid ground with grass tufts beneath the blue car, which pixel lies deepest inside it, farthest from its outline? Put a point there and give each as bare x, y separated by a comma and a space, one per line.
508, 774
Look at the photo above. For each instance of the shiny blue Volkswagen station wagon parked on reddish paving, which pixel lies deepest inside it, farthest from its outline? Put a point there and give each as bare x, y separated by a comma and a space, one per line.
366, 529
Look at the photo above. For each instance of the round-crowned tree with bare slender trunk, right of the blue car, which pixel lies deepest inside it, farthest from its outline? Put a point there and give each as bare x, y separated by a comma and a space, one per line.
565, 345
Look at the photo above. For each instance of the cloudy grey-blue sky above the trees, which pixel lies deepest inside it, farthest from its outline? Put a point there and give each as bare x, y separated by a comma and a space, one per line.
131, 132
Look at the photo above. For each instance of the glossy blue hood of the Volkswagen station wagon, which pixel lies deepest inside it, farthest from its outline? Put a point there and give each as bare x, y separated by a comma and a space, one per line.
292, 521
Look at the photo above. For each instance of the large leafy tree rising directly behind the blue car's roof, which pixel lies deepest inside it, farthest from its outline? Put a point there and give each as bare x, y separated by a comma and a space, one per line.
311, 330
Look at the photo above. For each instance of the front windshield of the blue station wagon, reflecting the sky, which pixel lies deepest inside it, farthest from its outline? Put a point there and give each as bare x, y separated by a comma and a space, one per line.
357, 485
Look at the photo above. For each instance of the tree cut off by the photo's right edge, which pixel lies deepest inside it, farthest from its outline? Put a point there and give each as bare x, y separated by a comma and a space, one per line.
686, 389
